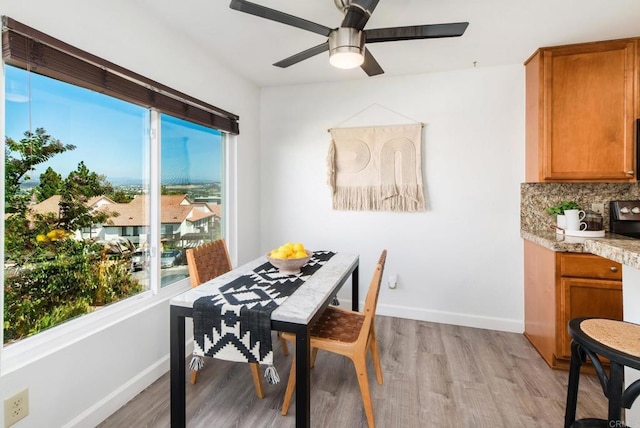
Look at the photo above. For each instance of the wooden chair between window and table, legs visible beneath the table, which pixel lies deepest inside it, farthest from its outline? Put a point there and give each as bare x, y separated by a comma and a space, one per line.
206, 262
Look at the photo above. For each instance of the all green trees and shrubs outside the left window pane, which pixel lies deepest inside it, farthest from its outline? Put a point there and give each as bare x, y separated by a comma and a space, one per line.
50, 277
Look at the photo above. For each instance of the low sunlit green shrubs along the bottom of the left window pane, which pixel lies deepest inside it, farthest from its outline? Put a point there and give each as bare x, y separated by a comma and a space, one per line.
66, 280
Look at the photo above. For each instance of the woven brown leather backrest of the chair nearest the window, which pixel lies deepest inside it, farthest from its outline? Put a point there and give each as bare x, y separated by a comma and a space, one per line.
208, 261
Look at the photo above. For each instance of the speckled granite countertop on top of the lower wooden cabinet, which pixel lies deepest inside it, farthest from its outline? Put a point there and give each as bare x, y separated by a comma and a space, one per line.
614, 247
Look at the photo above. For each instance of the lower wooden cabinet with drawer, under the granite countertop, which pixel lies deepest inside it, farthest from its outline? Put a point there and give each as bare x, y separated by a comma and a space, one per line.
561, 286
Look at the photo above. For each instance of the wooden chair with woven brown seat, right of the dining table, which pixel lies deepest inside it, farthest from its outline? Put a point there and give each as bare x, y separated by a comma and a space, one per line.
347, 333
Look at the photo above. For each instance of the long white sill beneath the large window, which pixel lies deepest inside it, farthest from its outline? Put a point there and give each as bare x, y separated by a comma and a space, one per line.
31, 349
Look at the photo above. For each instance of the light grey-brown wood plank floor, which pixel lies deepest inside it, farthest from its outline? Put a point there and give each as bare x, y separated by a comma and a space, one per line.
435, 375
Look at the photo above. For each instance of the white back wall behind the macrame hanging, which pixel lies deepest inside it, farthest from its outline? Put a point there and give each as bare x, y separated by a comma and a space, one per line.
460, 261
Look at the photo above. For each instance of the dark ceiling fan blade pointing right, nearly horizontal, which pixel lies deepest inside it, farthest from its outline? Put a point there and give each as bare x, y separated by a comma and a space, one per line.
415, 32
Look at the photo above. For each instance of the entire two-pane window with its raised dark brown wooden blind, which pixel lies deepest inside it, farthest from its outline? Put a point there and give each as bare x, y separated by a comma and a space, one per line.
79, 181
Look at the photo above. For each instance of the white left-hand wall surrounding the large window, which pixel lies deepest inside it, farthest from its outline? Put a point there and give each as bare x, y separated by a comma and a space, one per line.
80, 384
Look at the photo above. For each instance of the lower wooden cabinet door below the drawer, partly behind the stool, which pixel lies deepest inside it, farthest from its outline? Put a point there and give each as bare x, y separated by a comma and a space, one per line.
581, 297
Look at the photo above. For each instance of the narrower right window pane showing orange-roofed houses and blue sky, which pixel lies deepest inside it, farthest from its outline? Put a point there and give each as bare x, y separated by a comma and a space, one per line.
190, 203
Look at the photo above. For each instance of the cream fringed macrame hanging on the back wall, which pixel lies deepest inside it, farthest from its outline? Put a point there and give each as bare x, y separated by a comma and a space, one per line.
376, 168
